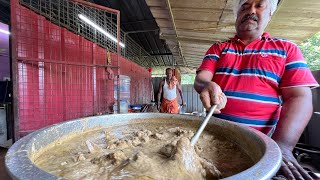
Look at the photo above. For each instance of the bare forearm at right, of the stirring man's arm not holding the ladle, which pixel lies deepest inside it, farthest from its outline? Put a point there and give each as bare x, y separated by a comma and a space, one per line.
295, 115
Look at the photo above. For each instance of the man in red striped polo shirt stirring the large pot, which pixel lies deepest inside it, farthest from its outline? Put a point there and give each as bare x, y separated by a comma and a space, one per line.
266, 80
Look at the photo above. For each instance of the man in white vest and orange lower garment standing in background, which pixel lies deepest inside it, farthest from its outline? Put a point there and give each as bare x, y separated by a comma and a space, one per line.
169, 87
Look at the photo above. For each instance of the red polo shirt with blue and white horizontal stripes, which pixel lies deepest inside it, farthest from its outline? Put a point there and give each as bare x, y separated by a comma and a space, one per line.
252, 75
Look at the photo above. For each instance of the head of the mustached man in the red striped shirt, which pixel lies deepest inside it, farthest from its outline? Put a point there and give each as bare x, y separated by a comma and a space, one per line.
253, 17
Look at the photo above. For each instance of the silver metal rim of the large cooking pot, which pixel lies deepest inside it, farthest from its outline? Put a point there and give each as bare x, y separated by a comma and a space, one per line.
19, 165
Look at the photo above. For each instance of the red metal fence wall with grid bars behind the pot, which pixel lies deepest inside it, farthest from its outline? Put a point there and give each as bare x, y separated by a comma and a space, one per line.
59, 75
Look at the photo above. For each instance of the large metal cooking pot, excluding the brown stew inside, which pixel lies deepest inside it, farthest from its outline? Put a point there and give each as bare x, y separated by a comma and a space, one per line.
264, 150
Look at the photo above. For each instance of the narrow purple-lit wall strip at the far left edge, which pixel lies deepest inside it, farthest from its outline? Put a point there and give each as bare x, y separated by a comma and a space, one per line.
4, 52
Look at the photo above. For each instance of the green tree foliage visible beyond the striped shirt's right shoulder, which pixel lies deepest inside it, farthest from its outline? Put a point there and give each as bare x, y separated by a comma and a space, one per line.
311, 51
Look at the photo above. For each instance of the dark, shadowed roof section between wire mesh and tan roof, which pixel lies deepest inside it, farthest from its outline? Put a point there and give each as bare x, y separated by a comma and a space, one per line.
137, 20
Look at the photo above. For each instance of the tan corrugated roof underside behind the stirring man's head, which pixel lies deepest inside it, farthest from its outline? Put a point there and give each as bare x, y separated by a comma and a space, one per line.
191, 27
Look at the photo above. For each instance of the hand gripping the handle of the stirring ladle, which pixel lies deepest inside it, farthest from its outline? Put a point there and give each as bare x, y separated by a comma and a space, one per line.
213, 95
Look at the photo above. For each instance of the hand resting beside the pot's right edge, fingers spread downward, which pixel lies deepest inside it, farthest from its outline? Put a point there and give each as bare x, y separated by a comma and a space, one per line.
290, 168
